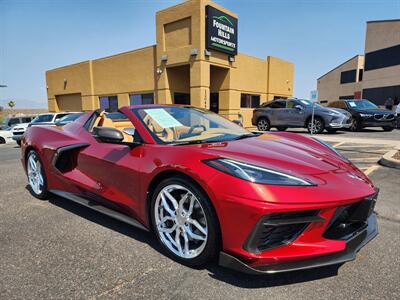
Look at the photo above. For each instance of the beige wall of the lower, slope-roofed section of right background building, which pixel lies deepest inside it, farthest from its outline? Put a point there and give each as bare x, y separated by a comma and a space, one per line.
329, 86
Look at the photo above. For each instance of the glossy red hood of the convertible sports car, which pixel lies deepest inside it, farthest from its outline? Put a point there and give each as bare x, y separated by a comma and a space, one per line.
297, 156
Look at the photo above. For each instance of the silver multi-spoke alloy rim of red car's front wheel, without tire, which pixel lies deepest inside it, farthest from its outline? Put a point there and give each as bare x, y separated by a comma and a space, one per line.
180, 221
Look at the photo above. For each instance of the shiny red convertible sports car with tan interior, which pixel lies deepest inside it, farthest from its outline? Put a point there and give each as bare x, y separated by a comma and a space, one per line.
262, 203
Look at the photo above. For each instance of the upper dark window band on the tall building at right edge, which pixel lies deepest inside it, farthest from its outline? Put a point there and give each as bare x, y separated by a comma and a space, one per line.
382, 58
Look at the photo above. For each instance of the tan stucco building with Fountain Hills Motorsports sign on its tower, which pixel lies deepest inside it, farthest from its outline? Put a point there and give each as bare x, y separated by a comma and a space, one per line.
195, 61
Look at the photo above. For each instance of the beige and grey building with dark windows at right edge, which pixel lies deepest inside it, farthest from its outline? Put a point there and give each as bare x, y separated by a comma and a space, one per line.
375, 75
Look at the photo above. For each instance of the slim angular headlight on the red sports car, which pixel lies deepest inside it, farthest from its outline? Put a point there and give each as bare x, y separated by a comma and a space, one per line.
254, 173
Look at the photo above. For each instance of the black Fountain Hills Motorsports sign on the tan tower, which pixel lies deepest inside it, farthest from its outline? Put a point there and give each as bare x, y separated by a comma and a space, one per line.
221, 31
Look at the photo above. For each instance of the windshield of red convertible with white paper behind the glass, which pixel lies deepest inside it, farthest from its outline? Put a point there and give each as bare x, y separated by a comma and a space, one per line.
187, 125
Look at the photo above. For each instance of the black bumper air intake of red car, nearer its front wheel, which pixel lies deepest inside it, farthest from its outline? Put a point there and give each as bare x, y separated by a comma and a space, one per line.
279, 229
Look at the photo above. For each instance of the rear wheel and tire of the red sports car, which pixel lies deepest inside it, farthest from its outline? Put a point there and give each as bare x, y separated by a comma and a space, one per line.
37, 180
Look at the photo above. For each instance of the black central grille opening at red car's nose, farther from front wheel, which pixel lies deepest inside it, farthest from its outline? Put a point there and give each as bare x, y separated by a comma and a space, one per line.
348, 220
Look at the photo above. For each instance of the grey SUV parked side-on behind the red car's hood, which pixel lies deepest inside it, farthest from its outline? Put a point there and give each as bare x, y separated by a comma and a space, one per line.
292, 113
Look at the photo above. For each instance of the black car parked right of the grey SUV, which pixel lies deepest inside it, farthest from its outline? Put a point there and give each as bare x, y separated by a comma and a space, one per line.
366, 114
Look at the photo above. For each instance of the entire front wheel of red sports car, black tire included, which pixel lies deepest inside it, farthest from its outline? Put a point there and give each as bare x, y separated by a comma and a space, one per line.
203, 246
